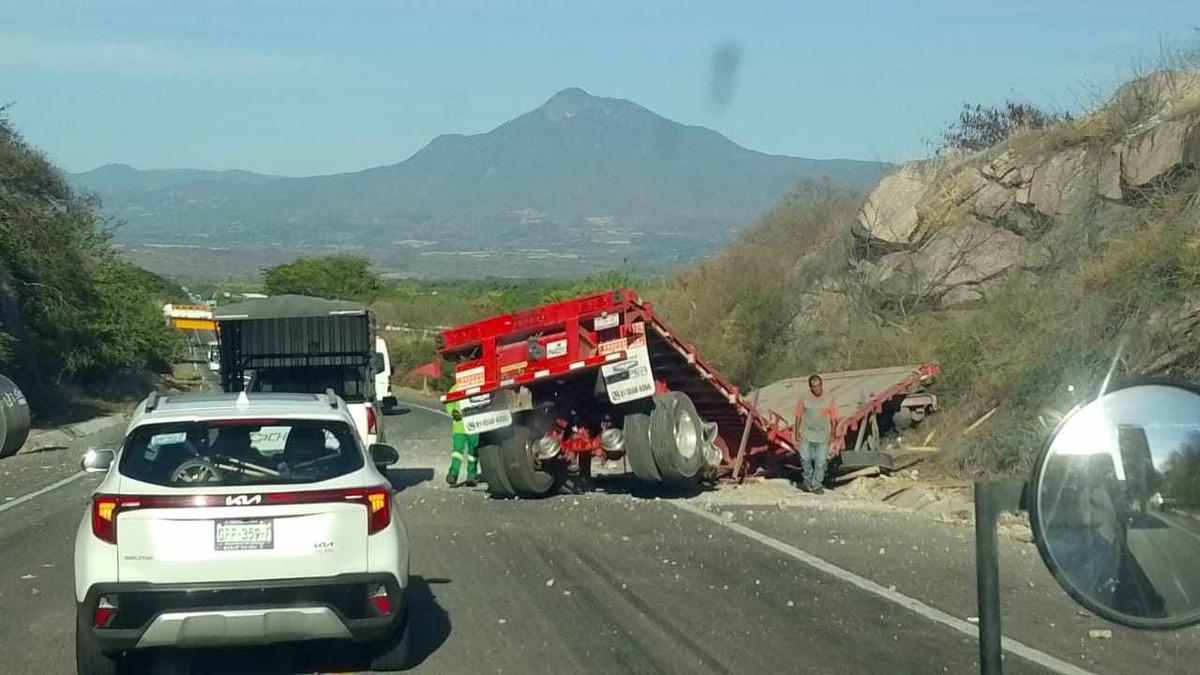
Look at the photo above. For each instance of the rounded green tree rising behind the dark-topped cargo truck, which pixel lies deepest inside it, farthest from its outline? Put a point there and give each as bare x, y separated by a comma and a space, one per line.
337, 278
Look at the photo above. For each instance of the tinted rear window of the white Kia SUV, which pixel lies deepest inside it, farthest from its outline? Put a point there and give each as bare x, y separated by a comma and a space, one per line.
241, 452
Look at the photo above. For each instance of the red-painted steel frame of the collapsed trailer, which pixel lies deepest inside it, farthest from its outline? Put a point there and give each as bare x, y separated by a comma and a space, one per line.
500, 348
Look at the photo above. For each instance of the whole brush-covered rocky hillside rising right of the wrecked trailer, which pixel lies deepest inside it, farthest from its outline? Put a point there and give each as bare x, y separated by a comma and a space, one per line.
1027, 270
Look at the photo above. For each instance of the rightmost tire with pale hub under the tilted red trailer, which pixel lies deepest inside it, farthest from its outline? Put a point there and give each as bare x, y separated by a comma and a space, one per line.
677, 437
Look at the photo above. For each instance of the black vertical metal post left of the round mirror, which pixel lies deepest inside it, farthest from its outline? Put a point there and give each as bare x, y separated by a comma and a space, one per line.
988, 580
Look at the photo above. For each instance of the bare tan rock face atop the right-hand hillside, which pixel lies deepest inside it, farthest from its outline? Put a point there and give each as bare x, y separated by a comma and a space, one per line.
947, 230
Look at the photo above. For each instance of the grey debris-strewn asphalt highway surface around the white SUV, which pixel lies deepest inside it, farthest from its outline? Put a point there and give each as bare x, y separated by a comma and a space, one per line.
615, 583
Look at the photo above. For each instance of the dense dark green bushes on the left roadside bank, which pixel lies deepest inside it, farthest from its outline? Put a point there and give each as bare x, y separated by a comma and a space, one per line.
73, 313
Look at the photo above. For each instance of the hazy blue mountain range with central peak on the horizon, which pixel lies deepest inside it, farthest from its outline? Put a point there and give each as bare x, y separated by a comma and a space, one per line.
579, 178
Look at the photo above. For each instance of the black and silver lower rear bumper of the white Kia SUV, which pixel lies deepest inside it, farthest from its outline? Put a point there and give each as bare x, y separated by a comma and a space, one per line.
245, 613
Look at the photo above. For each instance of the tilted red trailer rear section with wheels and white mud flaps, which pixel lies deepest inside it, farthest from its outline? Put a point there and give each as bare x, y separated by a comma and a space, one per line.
601, 378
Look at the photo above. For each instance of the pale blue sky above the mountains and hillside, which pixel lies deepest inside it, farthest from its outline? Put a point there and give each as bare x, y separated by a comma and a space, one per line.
303, 88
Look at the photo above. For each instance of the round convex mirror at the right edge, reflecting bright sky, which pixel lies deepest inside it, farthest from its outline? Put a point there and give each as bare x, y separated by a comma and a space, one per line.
1115, 506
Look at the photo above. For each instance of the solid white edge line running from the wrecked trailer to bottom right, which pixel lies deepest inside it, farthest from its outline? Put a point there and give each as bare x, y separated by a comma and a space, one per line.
933, 614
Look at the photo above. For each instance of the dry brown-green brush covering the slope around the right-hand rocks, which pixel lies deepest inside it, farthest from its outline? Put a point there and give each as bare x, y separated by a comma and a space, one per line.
1120, 282
